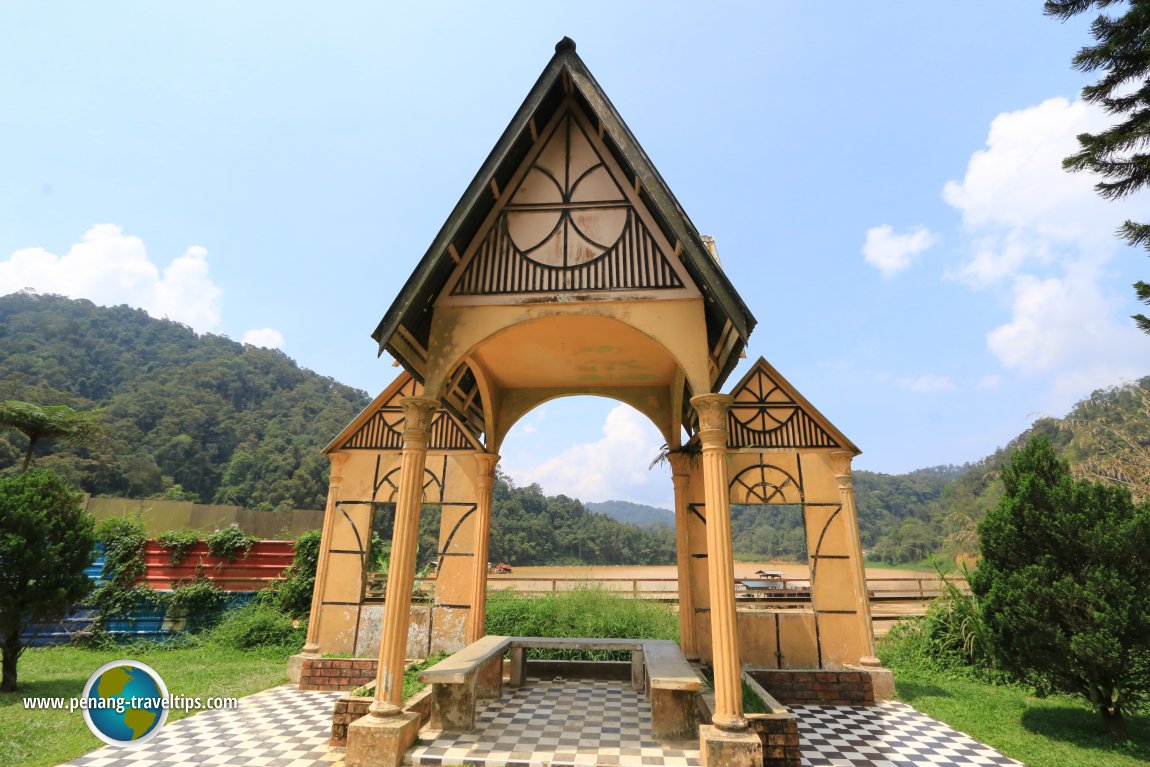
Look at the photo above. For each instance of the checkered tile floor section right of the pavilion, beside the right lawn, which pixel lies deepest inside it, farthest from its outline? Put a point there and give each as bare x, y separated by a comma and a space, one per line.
888, 735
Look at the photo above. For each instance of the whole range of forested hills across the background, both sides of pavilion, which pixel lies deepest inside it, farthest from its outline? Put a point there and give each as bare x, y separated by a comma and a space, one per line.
208, 419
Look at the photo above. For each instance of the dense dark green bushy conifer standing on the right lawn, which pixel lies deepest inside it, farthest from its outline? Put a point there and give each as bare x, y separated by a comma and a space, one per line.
1065, 585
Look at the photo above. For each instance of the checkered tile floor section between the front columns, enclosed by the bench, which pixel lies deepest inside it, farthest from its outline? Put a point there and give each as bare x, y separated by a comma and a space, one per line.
558, 723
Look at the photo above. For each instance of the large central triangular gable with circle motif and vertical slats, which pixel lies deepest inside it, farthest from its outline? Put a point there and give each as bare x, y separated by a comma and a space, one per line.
569, 224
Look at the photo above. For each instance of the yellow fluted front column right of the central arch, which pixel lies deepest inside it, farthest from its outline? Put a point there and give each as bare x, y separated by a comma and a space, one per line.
729, 714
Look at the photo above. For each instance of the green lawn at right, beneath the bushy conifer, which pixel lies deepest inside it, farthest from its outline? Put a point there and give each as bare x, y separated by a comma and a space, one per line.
1054, 732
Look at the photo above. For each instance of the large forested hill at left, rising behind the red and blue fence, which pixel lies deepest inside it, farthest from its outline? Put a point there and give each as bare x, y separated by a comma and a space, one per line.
201, 418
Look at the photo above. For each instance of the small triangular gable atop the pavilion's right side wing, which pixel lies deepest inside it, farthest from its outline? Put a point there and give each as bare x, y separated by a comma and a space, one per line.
769, 412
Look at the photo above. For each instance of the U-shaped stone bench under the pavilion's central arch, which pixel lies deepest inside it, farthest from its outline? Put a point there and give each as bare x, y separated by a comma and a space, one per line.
476, 672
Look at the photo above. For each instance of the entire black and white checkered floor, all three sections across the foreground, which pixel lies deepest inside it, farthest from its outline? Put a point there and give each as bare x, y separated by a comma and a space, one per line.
574, 723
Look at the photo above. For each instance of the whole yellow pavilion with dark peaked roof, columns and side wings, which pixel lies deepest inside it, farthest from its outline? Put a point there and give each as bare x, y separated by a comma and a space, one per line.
570, 269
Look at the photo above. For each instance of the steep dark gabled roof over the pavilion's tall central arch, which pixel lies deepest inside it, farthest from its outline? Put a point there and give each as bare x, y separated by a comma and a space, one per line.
566, 72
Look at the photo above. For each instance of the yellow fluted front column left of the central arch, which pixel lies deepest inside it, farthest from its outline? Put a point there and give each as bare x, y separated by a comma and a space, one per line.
389, 684
